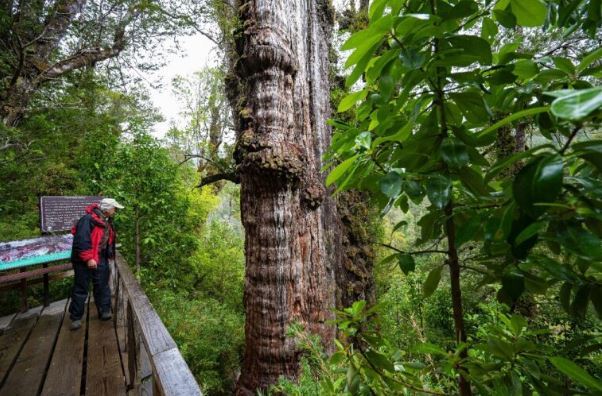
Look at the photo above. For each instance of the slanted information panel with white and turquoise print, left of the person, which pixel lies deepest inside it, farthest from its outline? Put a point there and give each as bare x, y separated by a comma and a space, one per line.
15, 254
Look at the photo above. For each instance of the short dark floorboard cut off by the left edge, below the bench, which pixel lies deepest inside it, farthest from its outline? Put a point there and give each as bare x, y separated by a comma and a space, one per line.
13, 339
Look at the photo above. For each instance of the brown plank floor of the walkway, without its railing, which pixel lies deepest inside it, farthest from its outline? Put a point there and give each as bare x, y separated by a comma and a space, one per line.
40, 355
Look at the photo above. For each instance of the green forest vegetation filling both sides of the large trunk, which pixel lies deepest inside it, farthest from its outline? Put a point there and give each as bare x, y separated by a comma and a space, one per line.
442, 114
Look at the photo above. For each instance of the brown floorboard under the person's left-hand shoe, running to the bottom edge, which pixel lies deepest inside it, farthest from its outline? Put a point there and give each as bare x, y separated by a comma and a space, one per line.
65, 371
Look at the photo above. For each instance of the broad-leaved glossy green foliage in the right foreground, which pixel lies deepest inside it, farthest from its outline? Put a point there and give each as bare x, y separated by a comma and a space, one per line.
442, 83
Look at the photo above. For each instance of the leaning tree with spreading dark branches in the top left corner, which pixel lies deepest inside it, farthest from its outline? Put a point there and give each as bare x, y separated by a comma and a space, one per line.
42, 41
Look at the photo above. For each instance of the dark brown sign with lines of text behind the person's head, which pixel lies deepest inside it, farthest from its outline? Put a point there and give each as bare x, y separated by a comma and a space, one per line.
60, 213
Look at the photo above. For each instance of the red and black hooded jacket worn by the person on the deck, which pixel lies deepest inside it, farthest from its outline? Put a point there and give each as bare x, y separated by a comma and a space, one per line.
88, 235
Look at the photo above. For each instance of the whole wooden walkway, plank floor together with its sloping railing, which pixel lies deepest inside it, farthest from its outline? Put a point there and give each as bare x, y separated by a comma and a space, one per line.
133, 354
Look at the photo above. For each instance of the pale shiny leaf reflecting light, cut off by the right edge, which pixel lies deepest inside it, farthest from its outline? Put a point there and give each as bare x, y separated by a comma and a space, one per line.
578, 105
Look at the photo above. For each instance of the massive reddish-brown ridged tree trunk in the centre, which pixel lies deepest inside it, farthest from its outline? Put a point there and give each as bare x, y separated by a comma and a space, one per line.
292, 239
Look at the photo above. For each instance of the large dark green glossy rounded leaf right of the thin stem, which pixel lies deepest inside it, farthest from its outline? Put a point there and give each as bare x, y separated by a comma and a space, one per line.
538, 182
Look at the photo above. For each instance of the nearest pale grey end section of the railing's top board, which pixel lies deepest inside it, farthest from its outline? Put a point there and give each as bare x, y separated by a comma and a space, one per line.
172, 375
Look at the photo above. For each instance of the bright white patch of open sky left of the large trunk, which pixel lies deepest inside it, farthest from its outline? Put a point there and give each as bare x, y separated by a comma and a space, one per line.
195, 53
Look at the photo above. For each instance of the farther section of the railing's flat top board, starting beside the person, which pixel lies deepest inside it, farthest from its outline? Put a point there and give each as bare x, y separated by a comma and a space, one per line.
154, 334
